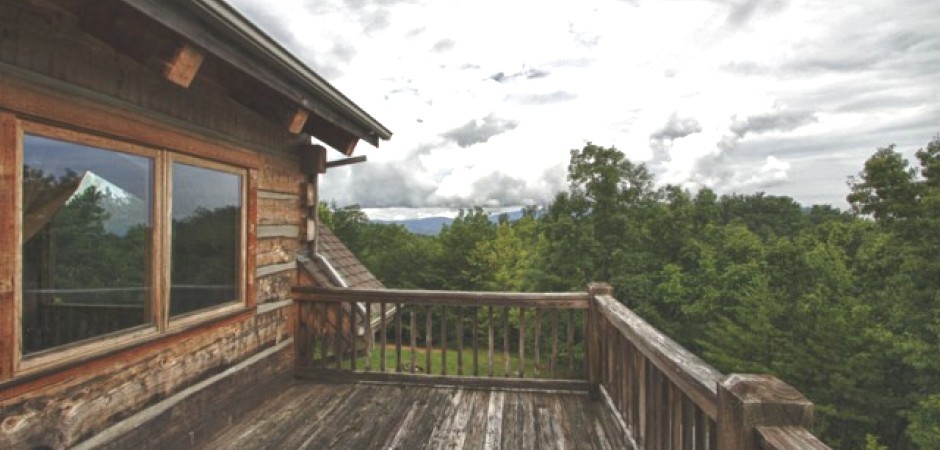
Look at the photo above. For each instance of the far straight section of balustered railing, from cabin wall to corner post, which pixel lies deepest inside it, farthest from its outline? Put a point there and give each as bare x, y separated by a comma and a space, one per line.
465, 337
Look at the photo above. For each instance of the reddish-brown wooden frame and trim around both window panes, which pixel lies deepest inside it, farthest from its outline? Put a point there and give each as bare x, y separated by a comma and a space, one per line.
13, 130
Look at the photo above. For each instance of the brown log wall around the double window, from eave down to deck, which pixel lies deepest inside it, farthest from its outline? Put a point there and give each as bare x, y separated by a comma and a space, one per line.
54, 70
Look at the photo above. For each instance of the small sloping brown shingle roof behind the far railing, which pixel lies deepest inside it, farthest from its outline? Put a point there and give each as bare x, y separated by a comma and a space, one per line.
346, 266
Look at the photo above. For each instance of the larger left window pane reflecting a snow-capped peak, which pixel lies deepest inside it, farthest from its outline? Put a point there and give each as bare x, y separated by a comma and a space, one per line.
86, 241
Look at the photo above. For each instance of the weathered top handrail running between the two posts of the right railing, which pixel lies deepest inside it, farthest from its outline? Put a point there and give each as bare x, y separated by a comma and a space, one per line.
695, 377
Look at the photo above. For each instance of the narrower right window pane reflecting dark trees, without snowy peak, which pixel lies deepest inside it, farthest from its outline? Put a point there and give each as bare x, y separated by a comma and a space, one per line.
206, 238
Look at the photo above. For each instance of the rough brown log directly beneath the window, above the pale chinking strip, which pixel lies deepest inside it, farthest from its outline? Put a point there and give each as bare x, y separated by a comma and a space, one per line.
64, 407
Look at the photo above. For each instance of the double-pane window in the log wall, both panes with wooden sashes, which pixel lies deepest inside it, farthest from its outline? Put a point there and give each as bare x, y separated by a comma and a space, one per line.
118, 237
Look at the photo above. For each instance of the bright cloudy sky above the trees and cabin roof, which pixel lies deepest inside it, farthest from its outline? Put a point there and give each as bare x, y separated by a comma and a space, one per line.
487, 98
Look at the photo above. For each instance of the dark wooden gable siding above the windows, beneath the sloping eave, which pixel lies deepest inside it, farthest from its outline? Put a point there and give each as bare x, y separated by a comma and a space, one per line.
46, 43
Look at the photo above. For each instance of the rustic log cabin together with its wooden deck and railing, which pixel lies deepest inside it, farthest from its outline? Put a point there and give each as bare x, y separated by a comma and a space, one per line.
164, 282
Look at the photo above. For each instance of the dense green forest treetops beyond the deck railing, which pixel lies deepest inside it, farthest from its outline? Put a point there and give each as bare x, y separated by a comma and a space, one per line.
845, 306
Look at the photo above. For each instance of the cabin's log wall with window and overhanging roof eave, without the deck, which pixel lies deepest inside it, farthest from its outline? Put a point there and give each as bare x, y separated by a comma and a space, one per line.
185, 125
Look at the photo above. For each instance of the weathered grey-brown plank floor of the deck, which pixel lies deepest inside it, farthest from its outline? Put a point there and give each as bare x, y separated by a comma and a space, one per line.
316, 415
